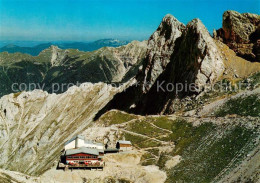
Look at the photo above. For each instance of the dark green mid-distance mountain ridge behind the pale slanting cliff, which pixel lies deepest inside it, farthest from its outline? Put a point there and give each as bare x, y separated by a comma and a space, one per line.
55, 65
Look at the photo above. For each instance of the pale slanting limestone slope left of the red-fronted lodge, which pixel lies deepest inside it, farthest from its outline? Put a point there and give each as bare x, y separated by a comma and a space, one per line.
35, 125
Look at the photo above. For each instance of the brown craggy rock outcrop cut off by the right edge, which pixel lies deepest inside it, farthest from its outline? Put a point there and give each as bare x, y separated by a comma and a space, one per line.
241, 33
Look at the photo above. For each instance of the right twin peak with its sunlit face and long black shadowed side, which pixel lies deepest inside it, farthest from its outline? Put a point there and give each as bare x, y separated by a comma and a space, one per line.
196, 61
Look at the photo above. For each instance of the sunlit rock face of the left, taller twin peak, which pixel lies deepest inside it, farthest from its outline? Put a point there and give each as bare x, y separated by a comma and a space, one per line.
160, 47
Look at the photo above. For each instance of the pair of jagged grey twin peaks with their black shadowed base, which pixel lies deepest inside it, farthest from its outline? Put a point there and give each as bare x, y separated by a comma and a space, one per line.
194, 60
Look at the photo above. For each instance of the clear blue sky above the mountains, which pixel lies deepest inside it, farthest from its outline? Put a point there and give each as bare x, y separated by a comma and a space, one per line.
87, 20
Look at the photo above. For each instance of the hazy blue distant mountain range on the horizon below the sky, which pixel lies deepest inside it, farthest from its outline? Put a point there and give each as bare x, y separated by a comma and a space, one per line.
82, 46
